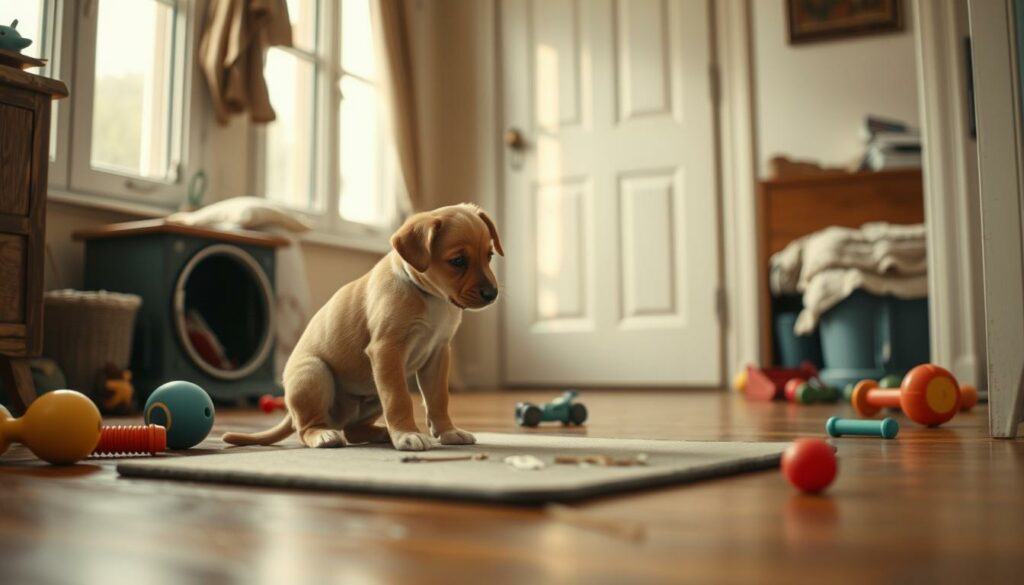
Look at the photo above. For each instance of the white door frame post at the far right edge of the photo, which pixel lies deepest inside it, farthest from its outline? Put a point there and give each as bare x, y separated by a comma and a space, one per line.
1002, 185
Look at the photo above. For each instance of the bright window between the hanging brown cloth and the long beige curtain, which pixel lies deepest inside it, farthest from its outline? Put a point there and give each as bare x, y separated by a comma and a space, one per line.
326, 154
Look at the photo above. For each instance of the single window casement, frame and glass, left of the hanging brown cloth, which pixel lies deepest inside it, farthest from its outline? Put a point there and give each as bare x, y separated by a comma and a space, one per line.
130, 100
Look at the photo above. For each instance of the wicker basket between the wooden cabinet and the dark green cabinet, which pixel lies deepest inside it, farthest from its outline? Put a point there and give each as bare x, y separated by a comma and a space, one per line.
87, 330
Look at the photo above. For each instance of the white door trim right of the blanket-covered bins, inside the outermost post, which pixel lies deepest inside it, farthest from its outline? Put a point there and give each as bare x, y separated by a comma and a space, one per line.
952, 204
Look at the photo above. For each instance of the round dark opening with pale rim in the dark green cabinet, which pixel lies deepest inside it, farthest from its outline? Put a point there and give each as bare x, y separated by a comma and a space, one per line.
224, 312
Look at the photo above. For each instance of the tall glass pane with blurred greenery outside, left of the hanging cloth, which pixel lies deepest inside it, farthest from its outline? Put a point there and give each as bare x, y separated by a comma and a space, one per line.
132, 113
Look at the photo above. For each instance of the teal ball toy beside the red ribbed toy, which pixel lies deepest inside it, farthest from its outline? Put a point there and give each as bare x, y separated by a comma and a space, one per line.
185, 409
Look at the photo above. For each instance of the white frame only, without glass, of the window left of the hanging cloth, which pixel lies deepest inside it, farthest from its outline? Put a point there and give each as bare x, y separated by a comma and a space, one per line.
73, 170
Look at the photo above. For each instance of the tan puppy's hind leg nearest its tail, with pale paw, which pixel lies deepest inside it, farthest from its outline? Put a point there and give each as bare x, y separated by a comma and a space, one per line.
310, 398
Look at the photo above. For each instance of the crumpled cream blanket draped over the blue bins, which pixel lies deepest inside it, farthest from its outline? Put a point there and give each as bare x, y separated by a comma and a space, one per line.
828, 266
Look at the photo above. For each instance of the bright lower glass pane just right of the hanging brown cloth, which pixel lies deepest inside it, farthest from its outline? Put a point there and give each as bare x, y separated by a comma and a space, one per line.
290, 139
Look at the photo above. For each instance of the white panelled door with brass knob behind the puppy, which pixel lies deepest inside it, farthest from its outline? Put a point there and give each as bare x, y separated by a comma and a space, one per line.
611, 224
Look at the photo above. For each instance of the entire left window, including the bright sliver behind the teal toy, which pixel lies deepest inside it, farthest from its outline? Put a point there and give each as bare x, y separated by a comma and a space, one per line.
129, 106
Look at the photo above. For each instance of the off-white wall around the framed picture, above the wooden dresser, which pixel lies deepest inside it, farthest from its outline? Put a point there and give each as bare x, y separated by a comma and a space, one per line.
812, 100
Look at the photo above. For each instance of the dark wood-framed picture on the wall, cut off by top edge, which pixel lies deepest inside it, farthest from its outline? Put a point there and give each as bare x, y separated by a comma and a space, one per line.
813, 21
